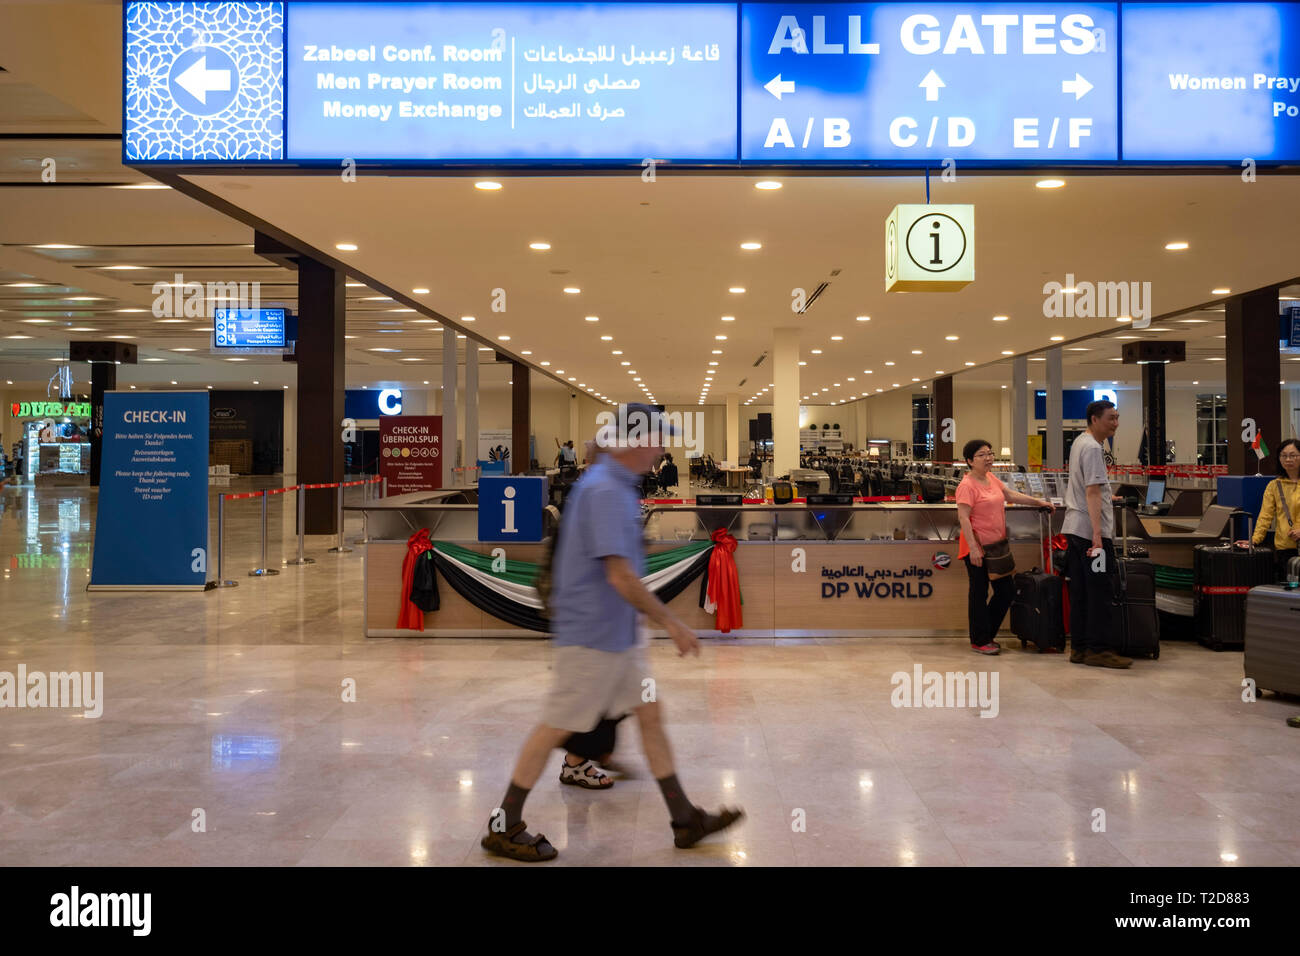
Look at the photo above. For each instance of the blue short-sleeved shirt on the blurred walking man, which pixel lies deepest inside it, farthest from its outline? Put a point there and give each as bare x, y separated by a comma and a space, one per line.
603, 518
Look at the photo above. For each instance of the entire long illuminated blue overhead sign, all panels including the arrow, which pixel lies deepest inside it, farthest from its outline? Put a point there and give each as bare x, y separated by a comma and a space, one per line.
315, 83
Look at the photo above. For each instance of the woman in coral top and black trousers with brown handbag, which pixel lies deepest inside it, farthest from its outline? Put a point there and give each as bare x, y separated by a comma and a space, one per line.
982, 500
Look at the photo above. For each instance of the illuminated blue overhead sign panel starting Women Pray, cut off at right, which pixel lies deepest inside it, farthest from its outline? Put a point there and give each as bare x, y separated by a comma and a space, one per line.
1208, 83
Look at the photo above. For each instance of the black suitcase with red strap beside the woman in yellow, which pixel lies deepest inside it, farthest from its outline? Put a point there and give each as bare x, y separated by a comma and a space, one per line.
1223, 578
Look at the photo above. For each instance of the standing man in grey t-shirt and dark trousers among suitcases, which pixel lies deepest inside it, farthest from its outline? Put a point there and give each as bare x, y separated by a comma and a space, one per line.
1090, 527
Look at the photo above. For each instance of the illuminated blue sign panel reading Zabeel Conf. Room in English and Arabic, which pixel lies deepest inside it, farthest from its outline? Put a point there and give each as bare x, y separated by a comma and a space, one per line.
551, 81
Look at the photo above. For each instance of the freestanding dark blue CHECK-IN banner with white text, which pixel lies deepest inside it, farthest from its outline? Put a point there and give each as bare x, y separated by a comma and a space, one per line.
151, 526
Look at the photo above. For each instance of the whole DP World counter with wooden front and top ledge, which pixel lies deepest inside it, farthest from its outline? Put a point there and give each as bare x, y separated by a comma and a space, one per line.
805, 572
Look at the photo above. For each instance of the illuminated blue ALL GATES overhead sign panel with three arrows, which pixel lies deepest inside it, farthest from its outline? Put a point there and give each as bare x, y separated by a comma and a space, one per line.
860, 83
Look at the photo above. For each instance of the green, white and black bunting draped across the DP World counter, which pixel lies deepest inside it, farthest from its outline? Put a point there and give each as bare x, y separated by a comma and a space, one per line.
512, 594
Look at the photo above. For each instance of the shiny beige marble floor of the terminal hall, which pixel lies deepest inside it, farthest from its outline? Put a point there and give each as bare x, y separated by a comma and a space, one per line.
231, 703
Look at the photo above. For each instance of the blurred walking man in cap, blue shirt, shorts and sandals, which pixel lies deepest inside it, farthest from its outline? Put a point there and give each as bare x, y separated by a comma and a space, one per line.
599, 668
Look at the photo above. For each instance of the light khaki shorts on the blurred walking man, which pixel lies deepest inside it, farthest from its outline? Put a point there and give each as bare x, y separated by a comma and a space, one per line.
590, 685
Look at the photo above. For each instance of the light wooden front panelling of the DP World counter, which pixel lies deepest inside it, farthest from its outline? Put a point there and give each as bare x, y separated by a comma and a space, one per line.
778, 600
